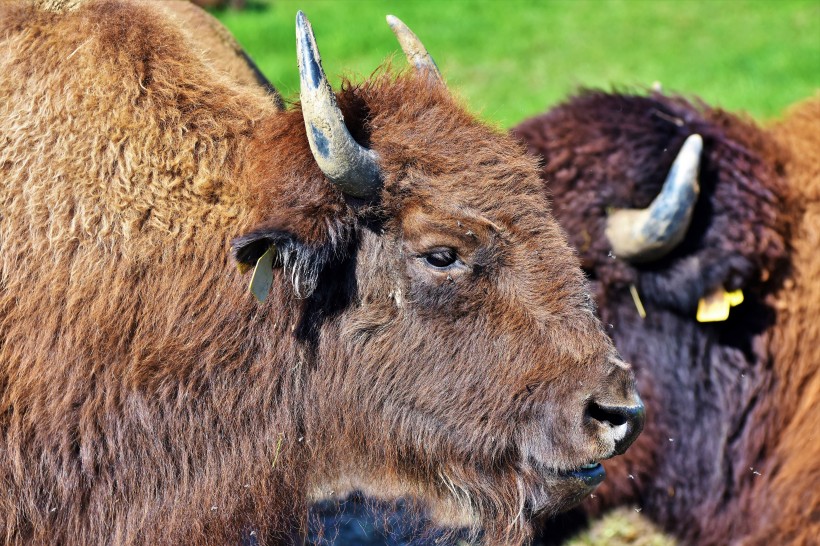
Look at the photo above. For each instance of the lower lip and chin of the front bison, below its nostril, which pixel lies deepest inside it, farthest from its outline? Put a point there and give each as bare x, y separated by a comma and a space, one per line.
560, 489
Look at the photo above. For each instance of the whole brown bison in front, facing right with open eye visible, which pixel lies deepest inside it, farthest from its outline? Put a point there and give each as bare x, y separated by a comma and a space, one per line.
425, 329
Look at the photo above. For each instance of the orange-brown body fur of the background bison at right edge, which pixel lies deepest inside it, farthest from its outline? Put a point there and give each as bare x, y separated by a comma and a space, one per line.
794, 485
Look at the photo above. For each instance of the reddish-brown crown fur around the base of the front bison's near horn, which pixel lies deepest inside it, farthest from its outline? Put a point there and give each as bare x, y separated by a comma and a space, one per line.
428, 146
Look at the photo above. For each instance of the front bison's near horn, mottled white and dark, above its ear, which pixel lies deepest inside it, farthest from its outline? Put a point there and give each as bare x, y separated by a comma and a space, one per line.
353, 168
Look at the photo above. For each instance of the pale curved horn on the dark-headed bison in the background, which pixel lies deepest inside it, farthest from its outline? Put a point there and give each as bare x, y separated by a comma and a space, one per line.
641, 235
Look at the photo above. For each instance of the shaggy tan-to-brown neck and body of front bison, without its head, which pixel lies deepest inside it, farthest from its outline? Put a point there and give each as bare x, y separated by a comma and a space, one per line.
146, 397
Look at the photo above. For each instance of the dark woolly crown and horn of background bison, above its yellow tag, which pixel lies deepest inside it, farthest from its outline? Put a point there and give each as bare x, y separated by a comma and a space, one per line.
675, 231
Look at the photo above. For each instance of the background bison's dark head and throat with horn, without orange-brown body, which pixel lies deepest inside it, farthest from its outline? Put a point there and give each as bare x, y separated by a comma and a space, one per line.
668, 203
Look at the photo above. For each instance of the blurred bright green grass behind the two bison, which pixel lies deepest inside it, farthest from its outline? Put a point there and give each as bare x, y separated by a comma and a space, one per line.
512, 59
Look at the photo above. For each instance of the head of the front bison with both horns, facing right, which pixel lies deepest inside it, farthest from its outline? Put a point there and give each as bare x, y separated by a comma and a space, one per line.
443, 338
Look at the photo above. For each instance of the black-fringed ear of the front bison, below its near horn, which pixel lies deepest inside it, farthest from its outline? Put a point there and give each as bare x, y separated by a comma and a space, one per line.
300, 261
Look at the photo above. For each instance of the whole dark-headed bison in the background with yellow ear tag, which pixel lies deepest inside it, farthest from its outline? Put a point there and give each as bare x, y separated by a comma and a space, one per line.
731, 449
